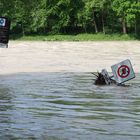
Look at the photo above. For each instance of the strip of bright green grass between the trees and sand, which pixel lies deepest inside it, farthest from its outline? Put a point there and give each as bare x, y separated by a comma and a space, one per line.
79, 37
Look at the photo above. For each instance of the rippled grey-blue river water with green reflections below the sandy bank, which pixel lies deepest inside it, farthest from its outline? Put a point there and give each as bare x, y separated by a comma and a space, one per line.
67, 106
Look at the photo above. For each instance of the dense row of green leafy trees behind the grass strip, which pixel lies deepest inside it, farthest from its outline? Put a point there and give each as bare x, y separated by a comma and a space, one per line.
72, 16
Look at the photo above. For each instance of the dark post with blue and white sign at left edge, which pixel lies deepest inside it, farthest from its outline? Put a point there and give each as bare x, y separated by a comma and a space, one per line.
4, 31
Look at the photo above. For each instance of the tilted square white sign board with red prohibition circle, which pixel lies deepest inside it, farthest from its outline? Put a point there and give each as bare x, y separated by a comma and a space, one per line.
123, 71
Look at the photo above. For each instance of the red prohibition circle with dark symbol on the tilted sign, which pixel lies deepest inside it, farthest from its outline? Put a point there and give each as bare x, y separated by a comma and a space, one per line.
123, 71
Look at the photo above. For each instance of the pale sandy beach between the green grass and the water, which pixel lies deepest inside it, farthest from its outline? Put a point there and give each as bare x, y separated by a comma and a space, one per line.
44, 56
